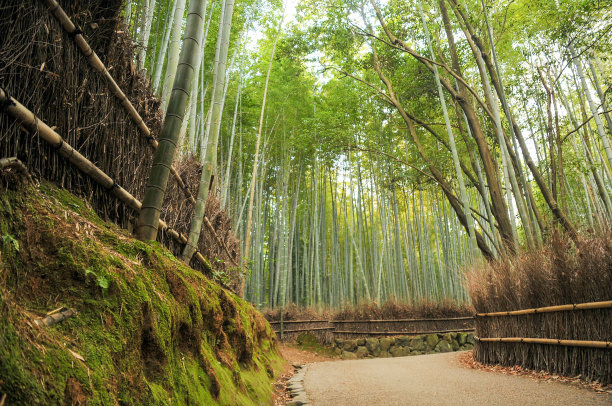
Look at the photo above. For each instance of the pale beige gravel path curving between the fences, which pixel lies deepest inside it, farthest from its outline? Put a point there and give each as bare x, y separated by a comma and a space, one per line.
437, 379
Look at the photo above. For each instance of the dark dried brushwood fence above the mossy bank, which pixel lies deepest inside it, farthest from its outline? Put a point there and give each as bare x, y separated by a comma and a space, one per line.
45, 63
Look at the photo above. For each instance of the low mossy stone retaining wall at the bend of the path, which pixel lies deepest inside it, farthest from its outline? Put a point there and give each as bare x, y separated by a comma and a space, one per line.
402, 346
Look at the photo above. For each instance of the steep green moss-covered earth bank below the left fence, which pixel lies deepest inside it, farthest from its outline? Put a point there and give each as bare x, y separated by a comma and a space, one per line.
148, 329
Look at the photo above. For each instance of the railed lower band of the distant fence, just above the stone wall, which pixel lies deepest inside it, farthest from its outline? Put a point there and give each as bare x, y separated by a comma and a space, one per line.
349, 329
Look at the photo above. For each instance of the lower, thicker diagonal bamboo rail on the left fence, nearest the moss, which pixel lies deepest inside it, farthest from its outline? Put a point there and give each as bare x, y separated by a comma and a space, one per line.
46, 133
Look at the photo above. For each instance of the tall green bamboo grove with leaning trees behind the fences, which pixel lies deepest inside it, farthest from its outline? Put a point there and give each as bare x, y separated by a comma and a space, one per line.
372, 150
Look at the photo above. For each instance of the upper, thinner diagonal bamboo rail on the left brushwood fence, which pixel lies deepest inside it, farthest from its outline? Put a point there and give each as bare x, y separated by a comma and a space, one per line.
96, 63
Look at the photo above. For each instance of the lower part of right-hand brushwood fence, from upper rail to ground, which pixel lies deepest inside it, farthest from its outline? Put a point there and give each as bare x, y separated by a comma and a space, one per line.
570, 340
